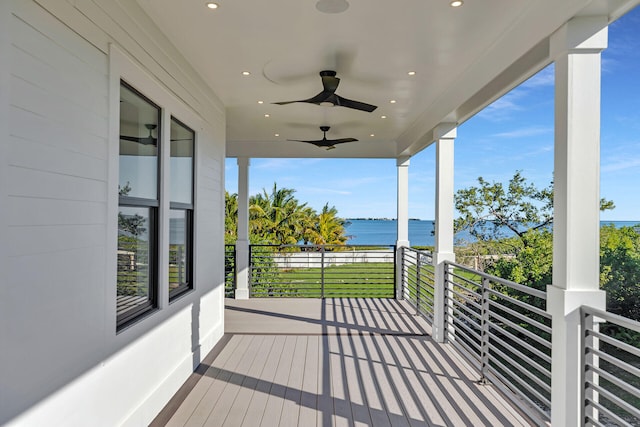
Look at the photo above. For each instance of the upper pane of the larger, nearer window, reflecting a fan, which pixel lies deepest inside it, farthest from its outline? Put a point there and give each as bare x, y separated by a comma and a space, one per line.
139, 125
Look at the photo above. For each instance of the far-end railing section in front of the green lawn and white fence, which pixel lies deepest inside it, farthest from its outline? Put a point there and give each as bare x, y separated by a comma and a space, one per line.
319, 271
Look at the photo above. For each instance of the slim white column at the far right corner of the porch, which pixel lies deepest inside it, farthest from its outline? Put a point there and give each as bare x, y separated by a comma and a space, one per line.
402, 164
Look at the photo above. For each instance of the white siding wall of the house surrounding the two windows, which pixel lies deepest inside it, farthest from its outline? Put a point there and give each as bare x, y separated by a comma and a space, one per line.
61, 361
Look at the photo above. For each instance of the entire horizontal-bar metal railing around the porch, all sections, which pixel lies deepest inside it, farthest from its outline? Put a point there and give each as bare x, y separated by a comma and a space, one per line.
501, 327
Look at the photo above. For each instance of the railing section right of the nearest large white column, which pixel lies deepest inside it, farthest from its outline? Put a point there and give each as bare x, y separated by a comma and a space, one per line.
611, 374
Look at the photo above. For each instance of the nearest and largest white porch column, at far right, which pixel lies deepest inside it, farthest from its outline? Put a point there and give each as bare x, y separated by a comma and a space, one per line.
576, 48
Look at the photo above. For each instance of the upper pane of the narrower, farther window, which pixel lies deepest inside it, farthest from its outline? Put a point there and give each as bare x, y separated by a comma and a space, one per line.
182, 143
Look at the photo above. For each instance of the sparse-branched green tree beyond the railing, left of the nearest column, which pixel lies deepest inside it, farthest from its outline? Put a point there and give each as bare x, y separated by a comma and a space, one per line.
490, 211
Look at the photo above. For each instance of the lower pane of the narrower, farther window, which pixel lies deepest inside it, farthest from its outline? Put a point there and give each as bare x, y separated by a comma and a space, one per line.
179, 249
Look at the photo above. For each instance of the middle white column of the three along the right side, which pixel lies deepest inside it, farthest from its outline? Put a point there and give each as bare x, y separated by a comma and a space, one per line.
443, 251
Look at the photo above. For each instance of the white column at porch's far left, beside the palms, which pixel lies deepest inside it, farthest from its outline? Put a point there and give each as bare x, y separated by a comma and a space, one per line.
242, 243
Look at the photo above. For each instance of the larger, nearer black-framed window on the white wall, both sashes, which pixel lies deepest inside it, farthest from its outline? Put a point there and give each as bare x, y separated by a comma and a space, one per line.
137, 284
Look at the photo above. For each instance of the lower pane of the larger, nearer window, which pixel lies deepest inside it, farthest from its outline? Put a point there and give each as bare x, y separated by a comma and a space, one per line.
135, 258
